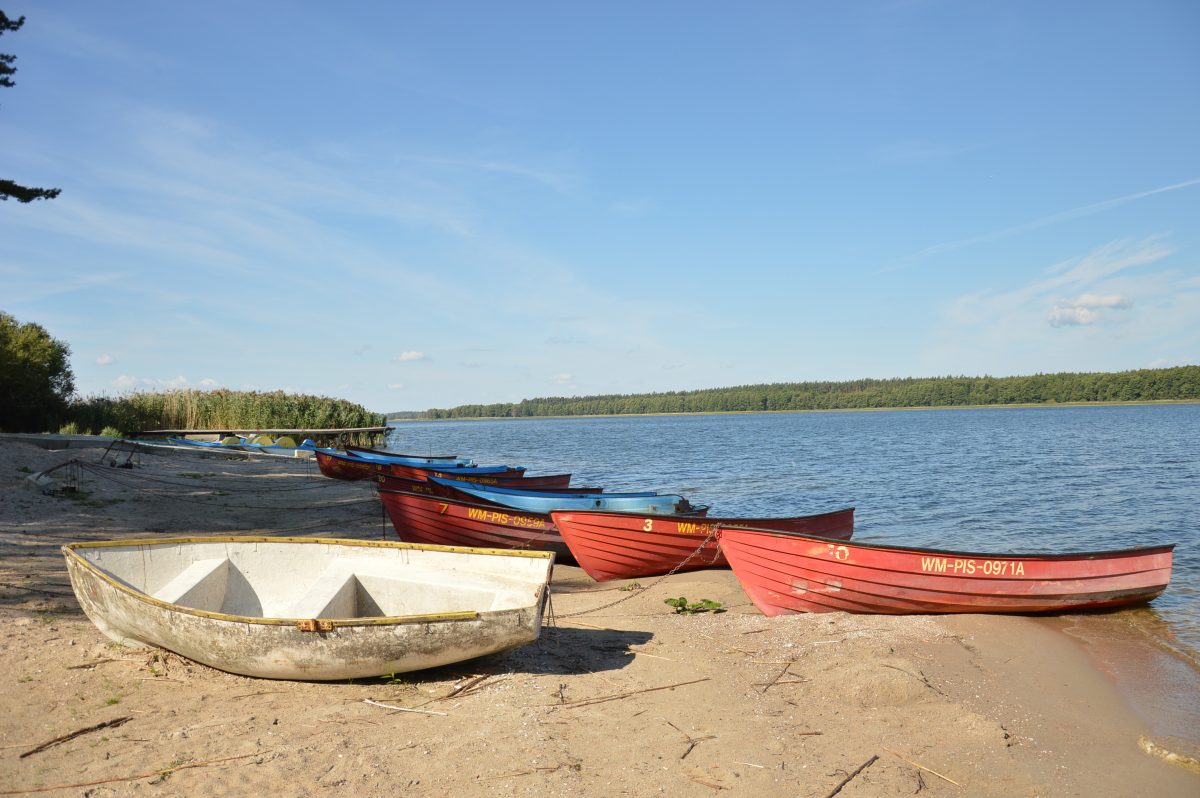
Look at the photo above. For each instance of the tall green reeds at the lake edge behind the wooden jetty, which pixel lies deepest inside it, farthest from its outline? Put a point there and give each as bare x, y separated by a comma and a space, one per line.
221, 410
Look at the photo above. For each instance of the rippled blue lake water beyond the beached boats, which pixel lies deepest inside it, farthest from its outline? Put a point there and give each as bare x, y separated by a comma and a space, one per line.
1051, 479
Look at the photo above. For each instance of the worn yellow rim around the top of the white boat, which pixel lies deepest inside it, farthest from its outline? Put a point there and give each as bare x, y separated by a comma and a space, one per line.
70, 550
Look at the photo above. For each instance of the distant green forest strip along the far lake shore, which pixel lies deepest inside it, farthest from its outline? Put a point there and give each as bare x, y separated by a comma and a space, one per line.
1144, 386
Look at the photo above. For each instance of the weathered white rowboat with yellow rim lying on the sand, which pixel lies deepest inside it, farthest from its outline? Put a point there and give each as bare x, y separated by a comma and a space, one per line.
311, 609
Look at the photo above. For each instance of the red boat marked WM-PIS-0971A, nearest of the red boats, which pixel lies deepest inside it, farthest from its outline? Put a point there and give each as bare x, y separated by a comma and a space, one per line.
790, 573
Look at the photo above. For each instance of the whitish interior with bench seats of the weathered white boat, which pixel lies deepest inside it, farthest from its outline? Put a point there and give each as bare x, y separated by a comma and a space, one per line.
266, 579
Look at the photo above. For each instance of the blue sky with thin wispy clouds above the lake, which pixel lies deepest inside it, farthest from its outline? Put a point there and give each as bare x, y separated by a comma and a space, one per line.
417, 206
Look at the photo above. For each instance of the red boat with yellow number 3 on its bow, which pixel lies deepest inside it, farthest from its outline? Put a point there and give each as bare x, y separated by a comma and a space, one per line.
625, 547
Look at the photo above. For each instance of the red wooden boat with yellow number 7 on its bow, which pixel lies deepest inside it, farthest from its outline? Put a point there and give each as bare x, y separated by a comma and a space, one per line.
449, 523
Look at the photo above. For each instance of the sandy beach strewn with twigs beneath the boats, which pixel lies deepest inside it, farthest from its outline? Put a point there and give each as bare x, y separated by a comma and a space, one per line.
619, 698
